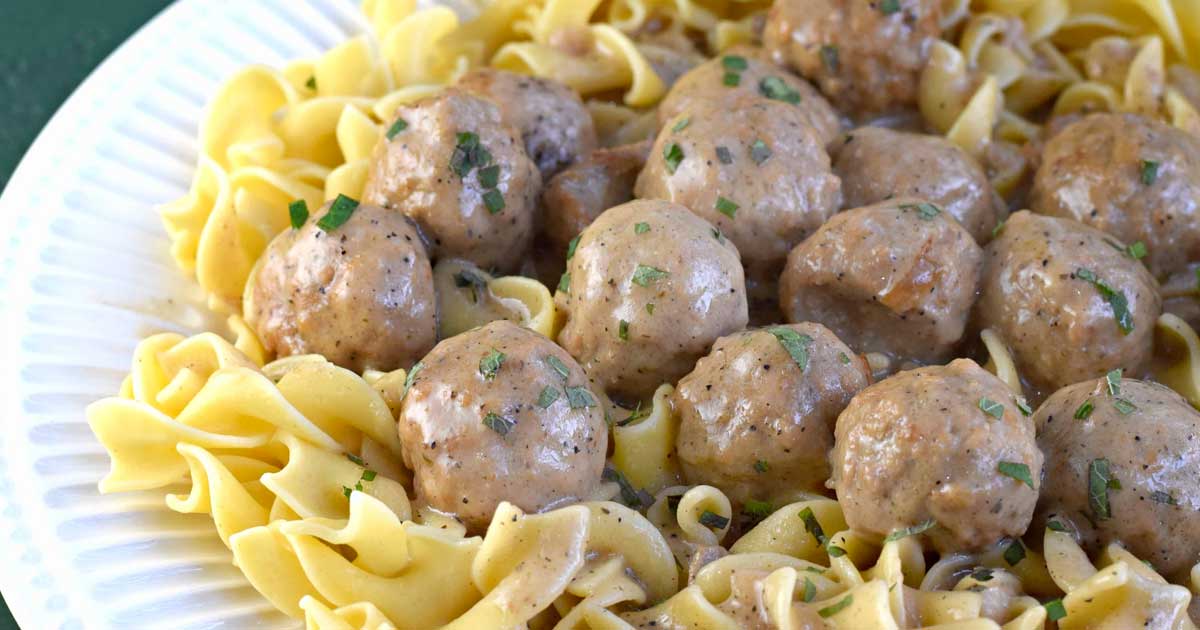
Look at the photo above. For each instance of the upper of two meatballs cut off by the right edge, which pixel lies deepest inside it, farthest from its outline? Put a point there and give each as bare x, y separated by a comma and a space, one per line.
1136, 178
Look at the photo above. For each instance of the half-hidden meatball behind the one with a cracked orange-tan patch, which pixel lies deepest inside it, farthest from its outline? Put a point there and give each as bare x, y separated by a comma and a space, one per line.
878, 164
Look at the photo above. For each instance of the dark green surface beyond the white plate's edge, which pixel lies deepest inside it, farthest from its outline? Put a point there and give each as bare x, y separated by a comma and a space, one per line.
46, 50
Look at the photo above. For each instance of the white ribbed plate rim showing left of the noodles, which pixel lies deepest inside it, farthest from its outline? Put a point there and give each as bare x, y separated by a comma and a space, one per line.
85, 274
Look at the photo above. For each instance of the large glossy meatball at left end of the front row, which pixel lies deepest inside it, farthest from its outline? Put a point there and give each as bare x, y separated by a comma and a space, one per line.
501, 413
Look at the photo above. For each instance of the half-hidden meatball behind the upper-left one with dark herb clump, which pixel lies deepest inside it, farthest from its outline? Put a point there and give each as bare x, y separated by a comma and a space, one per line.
550, 117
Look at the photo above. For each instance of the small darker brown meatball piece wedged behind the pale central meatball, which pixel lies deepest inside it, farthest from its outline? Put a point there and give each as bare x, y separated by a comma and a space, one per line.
579, 195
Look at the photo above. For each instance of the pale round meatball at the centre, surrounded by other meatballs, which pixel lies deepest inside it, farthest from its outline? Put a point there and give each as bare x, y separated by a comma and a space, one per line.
650, 289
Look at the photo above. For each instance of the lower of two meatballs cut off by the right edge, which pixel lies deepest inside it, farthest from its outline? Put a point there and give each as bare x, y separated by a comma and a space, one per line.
1149, 437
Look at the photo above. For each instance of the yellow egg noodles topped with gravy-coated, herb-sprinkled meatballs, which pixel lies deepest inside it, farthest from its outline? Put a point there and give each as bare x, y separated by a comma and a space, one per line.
698, 314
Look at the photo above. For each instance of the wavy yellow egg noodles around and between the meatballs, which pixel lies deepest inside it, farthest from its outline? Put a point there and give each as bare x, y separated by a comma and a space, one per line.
298, 461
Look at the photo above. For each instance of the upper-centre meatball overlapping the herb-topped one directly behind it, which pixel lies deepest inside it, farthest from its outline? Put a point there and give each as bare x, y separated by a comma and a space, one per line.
751, 166
